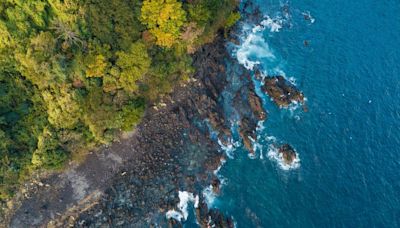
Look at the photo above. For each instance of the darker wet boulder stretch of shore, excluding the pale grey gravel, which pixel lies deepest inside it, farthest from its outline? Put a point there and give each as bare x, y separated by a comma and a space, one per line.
170, 135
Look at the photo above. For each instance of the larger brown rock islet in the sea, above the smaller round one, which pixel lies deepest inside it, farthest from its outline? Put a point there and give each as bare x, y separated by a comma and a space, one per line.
282, 92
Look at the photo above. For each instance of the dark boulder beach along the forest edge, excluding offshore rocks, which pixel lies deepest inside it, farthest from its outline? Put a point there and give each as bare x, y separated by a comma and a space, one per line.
161, 150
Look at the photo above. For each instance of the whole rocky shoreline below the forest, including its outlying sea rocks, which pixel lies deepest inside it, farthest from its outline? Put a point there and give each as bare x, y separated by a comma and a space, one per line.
136, 181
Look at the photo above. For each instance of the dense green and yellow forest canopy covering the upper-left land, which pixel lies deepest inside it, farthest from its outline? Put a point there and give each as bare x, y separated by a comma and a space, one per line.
75, 73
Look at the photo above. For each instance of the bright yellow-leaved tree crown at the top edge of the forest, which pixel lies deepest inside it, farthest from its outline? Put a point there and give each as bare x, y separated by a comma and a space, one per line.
164, 19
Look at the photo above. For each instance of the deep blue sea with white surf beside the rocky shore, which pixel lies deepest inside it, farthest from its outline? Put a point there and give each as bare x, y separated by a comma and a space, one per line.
349, 140
